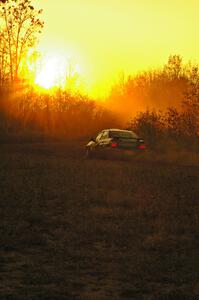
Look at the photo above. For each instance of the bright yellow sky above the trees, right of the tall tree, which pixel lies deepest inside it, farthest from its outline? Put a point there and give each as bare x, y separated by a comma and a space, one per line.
107, 37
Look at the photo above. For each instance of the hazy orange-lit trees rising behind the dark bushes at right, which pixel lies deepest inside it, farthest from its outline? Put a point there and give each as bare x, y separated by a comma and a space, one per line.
169, 86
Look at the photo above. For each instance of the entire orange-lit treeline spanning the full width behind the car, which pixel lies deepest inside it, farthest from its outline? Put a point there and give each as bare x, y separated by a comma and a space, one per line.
161, 106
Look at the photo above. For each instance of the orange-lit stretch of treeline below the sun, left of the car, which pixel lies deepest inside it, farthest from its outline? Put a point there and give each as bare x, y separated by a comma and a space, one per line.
30, 115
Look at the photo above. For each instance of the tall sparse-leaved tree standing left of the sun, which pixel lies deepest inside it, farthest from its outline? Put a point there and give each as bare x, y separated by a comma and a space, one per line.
20, 24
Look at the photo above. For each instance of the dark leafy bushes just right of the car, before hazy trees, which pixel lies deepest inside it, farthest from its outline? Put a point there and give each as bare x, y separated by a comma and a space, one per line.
169, 129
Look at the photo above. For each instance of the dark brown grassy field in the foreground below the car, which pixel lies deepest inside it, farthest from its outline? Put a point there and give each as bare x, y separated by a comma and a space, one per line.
73, 228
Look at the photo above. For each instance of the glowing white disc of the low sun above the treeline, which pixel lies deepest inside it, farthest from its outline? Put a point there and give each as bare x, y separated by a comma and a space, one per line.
52, 71
